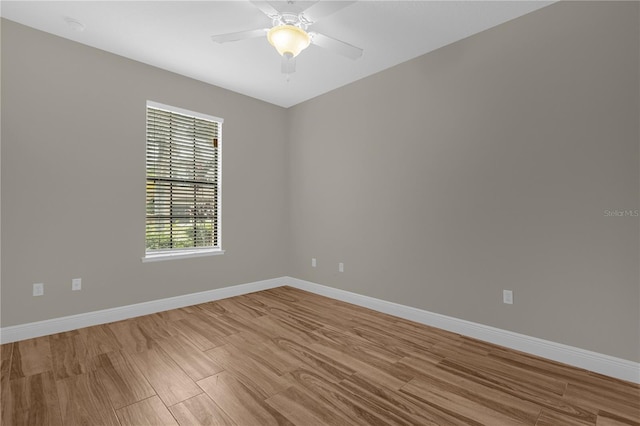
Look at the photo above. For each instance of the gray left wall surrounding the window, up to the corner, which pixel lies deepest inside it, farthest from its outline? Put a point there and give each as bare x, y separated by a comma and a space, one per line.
73, 180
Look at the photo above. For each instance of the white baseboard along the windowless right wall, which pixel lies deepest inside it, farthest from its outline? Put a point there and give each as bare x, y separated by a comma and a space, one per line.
581, 358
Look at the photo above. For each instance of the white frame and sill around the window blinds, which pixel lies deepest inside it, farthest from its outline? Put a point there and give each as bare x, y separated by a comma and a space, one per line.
187, 252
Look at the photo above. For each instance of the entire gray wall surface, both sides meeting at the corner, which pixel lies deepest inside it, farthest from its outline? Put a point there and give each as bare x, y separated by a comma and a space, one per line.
483, 166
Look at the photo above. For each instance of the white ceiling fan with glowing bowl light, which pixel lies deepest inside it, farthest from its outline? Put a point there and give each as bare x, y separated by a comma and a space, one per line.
289, 33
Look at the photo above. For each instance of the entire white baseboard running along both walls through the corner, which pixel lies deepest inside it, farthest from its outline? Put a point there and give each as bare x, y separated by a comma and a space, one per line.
581, 358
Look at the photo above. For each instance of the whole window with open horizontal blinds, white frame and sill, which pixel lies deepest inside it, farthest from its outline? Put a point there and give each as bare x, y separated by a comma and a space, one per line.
183, 183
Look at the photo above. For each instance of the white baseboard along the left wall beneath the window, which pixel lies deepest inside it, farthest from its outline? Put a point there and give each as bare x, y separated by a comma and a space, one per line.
72, 322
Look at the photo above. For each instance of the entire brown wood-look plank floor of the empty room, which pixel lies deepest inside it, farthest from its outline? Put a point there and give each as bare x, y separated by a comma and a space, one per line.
285, 356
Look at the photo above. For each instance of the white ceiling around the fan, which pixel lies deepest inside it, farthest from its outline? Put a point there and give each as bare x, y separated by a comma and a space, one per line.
176, 36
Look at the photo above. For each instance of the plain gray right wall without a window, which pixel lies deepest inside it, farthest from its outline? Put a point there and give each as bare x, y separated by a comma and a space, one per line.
486, 165
